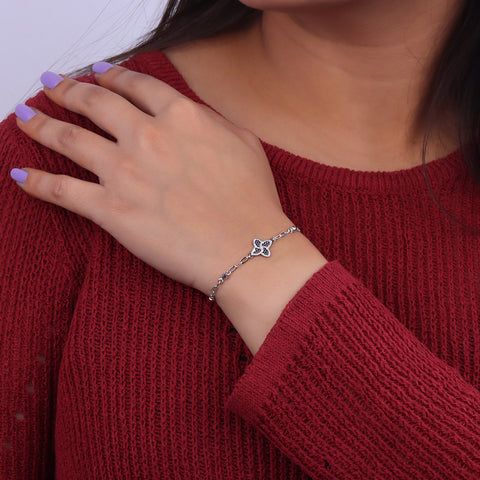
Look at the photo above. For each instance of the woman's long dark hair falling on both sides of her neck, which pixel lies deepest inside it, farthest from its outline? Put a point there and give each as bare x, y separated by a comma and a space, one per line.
453, 85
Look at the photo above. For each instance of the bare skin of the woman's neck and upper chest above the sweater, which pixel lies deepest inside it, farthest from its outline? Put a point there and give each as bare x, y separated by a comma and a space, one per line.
309, 71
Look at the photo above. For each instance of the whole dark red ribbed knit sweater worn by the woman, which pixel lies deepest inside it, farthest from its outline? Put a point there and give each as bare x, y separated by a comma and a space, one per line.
111, 370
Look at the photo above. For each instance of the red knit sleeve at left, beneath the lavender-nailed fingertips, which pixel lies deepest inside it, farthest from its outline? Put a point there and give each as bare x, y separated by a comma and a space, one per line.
41, 265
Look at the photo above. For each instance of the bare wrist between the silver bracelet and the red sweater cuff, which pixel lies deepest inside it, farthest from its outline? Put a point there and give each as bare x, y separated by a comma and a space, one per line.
255, 295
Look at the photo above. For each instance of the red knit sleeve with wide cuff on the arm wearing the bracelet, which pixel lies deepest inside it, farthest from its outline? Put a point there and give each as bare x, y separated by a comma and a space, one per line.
346, 391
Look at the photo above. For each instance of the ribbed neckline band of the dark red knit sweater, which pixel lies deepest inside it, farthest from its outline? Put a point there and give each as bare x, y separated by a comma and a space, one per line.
305, 170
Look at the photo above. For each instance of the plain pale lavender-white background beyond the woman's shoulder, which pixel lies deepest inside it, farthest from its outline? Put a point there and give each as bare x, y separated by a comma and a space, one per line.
62, 35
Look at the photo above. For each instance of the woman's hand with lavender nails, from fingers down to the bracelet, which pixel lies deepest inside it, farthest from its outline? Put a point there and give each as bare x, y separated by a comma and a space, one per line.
182, 188
